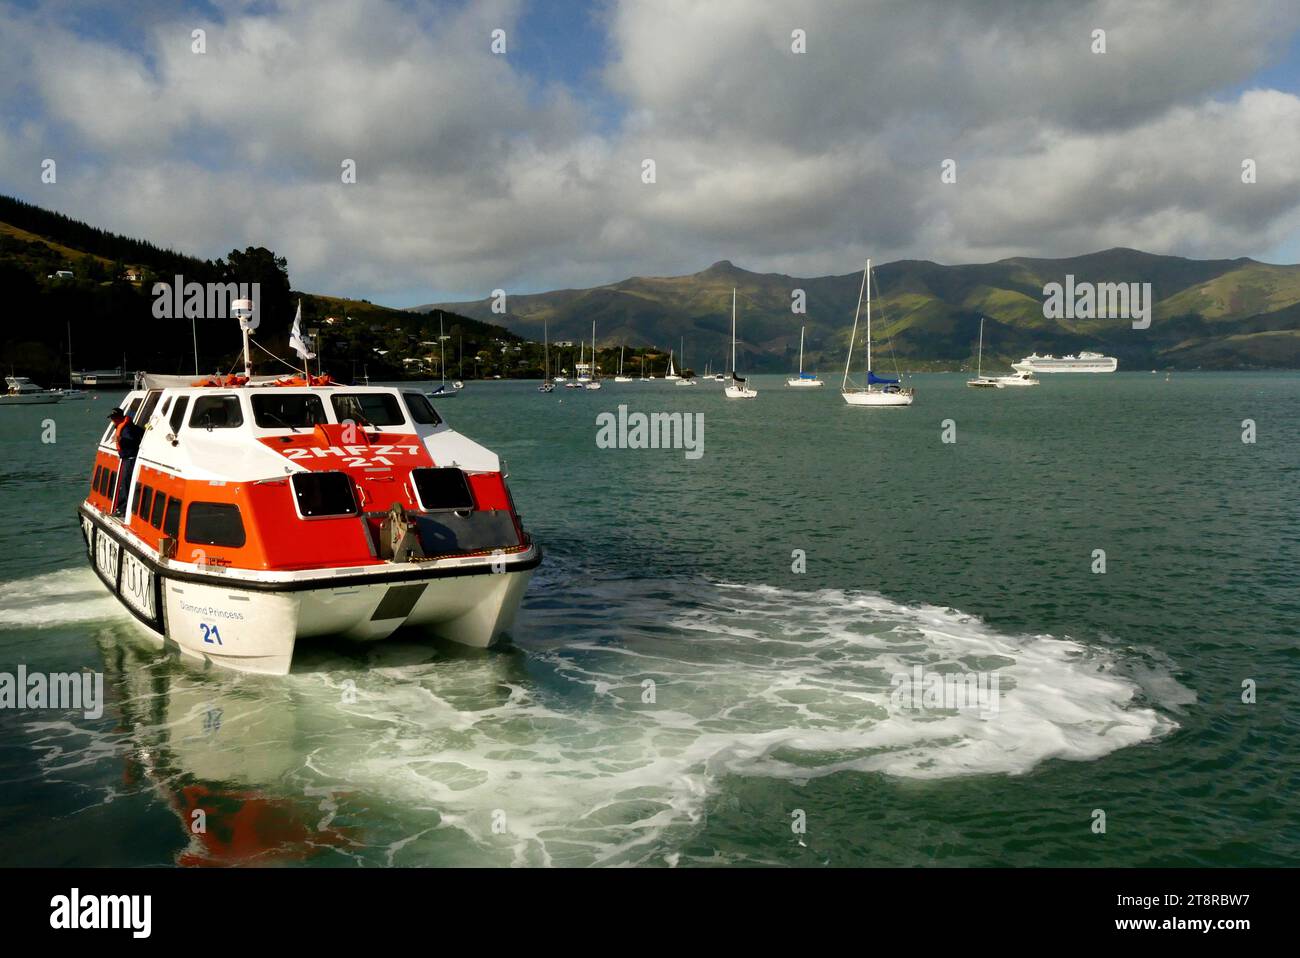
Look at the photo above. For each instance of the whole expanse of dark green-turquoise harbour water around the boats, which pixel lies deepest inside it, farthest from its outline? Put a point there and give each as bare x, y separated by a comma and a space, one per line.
1120, 692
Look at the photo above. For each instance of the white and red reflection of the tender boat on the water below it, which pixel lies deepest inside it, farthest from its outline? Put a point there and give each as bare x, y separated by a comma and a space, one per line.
232, 756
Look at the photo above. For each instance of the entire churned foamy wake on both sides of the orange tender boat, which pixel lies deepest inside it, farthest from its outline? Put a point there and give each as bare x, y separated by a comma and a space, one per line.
621, 712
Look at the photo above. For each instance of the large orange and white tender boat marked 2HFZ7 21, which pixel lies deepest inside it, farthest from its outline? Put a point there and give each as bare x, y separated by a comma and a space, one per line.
267, 511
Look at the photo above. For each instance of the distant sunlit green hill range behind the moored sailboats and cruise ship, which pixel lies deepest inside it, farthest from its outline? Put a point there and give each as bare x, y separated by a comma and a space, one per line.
1208, 314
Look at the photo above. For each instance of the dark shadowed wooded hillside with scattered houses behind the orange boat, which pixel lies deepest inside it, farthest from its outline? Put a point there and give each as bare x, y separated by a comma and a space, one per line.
107, 309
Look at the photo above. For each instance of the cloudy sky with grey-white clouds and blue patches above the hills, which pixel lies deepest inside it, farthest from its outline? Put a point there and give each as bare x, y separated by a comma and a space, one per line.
525, 170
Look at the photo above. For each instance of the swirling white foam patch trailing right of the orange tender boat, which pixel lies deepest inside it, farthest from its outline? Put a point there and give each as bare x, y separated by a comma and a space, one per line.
749, 680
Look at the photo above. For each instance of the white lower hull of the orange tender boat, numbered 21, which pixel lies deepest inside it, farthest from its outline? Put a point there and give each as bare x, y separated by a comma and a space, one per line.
257, 627
